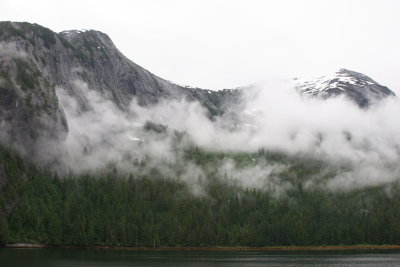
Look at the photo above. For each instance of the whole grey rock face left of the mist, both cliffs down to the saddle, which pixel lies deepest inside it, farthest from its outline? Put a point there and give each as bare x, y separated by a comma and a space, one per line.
34, 61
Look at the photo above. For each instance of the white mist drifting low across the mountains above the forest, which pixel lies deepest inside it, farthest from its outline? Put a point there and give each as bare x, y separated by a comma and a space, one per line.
362, 146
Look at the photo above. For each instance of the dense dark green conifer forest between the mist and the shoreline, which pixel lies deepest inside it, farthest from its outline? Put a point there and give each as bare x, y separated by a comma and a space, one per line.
150, 210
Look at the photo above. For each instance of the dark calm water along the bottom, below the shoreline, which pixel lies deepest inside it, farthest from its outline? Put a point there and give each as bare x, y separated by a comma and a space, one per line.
78, 258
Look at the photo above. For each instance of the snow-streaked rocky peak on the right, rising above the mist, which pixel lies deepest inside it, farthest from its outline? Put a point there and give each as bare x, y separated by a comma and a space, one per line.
355, 86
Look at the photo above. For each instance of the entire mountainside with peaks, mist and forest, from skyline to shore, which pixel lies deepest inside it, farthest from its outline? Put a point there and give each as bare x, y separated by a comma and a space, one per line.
110, 154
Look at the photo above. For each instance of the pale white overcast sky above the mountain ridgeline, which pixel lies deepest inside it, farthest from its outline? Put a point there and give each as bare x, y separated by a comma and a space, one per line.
226, 44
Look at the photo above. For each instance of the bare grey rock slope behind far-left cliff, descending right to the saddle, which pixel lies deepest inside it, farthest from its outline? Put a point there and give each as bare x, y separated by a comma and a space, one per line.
106, 69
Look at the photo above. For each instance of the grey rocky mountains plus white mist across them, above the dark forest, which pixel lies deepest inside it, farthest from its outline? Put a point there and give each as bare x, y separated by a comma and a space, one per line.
74, 99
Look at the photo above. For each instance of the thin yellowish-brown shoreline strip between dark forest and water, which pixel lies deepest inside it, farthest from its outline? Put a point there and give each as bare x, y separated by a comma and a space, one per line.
271, 248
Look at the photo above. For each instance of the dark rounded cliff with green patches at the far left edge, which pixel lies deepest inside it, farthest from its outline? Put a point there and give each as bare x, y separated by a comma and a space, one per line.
29, 108
